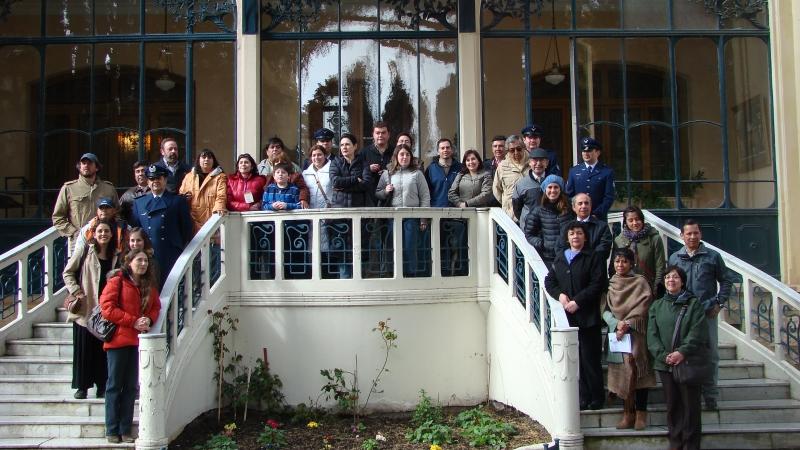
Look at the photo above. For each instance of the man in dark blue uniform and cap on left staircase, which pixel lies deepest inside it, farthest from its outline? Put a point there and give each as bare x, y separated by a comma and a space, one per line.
165, 218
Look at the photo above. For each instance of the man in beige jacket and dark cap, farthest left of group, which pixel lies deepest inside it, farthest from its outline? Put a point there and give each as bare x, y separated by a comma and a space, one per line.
75, 204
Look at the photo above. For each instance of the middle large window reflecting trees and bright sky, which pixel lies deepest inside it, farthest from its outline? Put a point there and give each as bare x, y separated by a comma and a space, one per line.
375, 61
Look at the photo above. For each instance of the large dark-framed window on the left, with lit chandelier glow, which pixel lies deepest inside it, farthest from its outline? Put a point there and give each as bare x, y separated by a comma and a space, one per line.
111, 78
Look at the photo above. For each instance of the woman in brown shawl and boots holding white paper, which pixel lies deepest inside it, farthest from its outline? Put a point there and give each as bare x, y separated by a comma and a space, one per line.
629, 374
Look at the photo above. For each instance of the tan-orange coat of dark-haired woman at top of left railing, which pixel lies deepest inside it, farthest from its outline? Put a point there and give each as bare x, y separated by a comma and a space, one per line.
207, 198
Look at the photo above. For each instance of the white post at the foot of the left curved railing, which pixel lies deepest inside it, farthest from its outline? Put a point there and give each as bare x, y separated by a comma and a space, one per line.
152, 392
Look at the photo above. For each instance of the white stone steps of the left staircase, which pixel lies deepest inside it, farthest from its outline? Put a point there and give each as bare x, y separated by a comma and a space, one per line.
37, 409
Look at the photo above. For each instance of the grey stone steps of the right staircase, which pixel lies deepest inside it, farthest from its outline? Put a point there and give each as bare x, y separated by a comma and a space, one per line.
754, 413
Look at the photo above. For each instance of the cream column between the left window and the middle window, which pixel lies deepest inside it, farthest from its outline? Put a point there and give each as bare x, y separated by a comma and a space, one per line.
248, 91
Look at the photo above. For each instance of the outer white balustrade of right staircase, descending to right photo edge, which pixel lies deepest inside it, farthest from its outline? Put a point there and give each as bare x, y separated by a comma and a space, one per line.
762, 315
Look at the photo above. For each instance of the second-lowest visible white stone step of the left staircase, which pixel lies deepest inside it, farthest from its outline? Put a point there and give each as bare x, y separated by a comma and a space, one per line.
54, 426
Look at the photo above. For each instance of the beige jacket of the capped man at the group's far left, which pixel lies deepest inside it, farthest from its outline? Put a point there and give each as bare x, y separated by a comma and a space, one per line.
76, 205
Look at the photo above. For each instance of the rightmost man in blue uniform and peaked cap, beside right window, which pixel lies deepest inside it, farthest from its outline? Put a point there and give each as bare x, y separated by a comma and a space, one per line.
592, 177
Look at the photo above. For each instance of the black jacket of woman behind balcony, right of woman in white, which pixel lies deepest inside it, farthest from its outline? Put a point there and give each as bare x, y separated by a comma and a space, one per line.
348, 191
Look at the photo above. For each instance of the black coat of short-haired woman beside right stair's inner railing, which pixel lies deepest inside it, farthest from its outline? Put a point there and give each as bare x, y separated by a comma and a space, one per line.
584, 281
